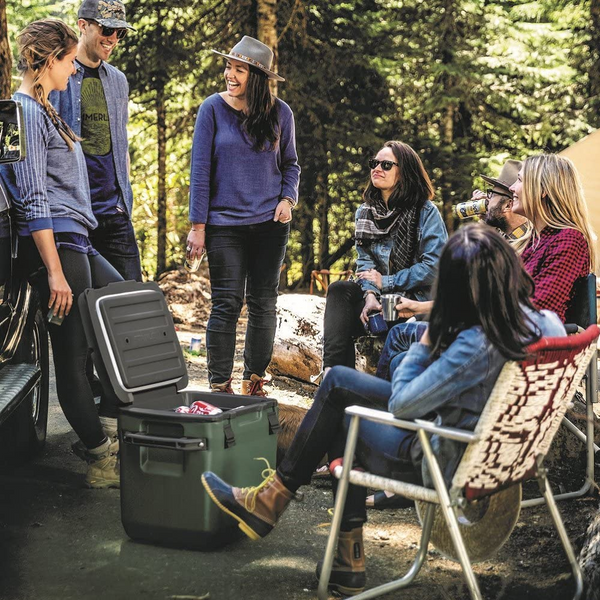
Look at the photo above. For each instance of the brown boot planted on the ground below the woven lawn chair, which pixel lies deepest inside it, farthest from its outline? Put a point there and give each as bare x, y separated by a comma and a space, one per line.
348, 571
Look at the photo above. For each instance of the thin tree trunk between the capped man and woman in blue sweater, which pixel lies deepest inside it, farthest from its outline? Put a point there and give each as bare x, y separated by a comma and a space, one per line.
161, 199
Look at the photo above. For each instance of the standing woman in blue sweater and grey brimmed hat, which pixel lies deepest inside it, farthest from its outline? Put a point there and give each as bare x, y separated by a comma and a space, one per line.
243, 186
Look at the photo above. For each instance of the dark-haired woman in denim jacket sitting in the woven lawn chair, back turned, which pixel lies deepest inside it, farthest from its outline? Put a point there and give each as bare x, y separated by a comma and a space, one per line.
451, 372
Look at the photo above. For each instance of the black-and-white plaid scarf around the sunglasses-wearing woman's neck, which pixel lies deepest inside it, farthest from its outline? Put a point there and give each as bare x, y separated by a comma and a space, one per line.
376, 221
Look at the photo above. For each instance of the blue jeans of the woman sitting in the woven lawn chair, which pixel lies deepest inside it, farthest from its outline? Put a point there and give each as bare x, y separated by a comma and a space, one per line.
381, 449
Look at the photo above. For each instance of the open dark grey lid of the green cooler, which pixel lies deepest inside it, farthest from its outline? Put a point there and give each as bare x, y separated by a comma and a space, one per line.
136, 338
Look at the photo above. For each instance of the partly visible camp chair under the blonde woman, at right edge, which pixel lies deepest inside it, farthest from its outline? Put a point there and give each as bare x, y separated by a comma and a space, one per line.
581, 314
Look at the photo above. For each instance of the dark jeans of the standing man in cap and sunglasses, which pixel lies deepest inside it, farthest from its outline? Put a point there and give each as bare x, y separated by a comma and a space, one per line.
114, 238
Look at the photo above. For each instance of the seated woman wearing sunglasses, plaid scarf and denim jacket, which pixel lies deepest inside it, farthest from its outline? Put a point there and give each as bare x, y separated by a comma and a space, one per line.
399, 237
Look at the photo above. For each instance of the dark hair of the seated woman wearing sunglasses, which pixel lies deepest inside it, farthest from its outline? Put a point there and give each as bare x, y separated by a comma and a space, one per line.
414, 185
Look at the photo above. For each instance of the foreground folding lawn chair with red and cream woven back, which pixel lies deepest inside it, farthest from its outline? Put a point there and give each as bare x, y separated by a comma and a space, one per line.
470, 521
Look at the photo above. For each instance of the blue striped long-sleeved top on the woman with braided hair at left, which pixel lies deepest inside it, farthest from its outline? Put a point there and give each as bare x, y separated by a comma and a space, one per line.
50, 187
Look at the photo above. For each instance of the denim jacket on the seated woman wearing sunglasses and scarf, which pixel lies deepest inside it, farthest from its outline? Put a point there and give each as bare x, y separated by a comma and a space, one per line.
418, 278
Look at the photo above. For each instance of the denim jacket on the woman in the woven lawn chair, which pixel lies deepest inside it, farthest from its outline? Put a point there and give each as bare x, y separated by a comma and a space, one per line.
456, 386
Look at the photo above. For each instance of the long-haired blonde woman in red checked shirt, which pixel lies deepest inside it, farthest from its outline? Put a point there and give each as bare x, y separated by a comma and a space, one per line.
560, 247
